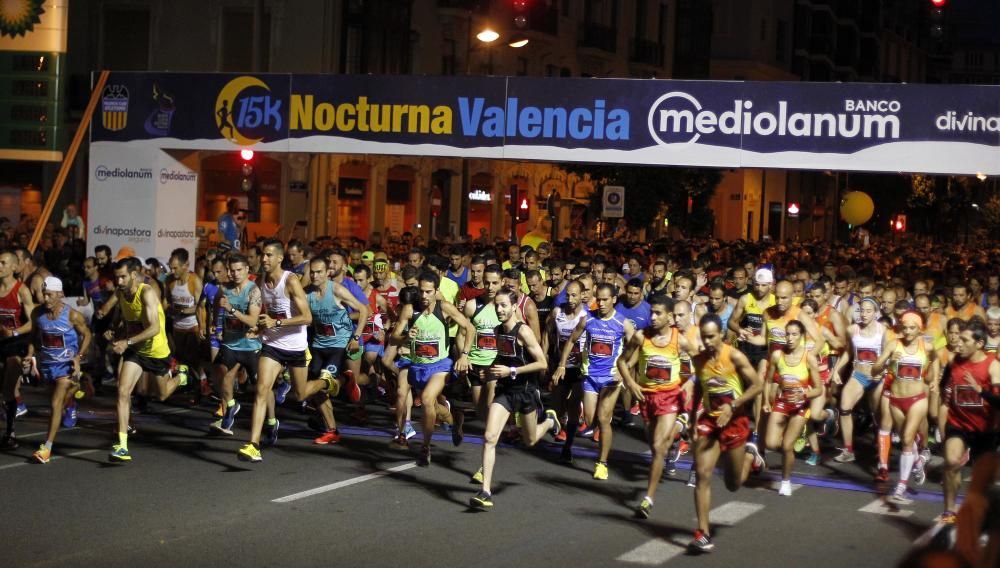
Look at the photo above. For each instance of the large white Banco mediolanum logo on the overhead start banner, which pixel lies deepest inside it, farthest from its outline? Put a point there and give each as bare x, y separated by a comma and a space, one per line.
679, 118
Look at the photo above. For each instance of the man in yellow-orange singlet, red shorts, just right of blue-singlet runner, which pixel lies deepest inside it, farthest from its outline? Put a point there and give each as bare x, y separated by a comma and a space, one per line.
650, 369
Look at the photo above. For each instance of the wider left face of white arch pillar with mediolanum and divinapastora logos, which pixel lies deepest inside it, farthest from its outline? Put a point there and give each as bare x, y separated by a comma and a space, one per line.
122, 208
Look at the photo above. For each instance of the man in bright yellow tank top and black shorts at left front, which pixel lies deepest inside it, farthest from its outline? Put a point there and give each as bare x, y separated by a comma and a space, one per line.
139, 336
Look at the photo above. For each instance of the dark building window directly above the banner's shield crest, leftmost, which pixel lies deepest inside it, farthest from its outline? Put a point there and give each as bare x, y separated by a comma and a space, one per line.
126, 39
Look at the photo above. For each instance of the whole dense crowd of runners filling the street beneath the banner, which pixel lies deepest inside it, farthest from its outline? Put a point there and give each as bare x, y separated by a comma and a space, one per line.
729, 351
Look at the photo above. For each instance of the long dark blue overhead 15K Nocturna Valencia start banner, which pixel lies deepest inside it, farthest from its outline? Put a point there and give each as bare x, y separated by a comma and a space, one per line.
945, 129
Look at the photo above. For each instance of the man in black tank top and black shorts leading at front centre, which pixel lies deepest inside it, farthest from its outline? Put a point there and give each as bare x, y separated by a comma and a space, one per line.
516, 390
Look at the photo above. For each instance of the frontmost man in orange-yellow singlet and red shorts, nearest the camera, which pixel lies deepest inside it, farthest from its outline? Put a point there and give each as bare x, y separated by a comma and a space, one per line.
726, 382
